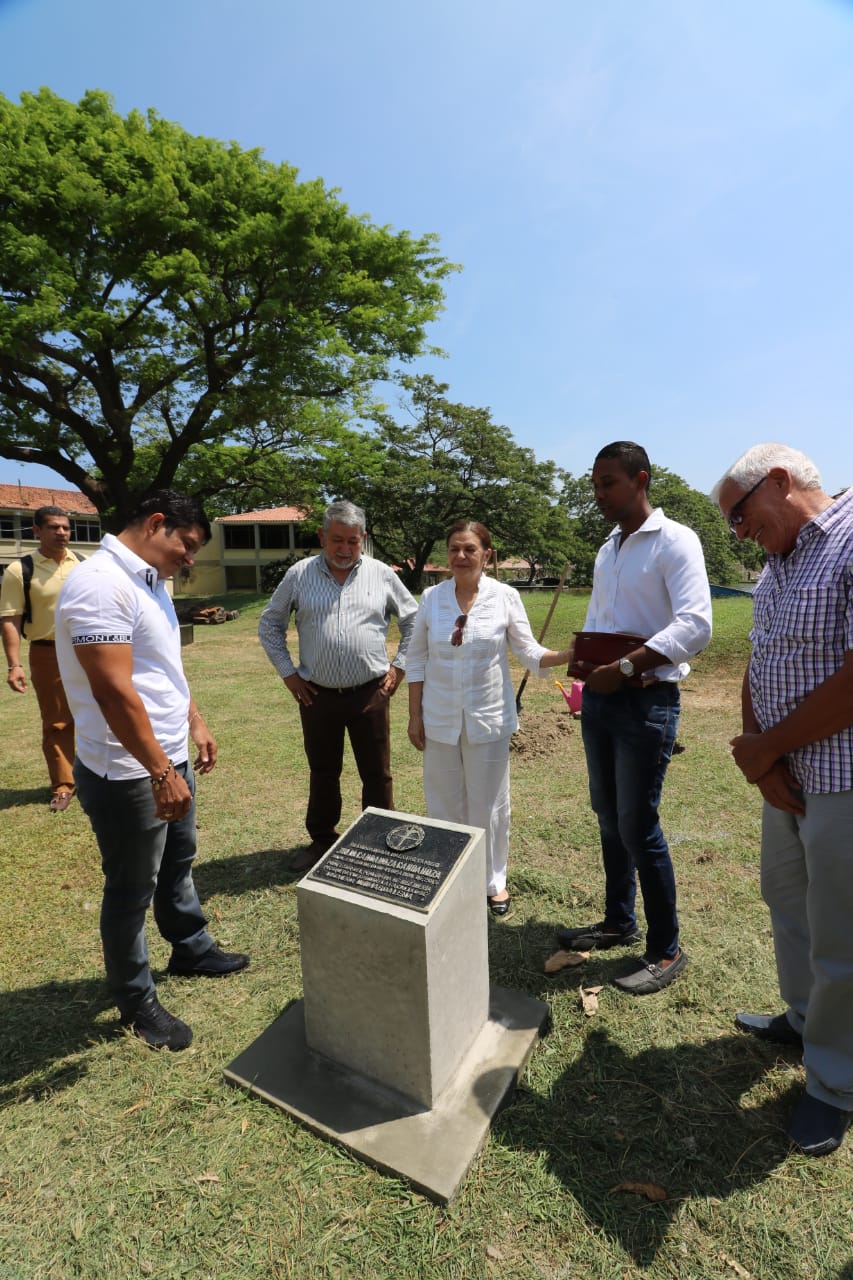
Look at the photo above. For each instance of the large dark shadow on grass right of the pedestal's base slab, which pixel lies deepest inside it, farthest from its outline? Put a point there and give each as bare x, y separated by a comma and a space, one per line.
617, 1123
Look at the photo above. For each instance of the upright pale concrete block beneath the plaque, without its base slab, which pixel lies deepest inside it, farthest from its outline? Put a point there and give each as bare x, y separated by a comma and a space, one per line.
398, 994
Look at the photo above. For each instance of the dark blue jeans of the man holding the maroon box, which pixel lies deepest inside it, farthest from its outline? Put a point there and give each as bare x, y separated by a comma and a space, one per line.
628, 739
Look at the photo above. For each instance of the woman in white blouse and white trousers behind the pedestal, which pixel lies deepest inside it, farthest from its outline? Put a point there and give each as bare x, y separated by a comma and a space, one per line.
462, 707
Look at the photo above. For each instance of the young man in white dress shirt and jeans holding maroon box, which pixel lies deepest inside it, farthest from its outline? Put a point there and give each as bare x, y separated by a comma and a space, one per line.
650, 582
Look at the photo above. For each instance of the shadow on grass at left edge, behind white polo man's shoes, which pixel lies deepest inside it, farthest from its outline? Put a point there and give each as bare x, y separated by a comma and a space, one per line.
43, 1027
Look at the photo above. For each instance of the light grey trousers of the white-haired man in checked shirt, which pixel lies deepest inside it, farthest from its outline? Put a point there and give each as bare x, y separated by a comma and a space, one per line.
808, 884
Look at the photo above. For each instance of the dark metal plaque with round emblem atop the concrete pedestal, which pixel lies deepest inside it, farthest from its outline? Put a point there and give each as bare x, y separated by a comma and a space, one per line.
395, 860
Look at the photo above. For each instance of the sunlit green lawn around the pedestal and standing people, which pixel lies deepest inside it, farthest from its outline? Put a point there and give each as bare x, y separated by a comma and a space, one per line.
117, 1162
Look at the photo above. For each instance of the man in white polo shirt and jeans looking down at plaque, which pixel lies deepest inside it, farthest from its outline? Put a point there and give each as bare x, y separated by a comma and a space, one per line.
118, 646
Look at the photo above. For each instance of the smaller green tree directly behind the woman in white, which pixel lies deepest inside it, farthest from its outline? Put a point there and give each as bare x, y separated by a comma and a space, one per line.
443, 461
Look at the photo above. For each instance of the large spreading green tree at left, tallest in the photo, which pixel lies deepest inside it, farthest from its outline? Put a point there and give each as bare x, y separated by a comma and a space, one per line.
171, 290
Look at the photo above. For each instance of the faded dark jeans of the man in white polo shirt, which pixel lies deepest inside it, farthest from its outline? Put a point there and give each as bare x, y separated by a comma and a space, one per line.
145, 861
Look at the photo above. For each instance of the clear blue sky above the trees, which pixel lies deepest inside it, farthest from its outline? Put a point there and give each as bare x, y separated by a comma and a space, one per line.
651, 202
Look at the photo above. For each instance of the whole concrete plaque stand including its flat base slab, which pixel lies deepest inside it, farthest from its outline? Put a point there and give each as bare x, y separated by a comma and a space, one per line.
399, 1052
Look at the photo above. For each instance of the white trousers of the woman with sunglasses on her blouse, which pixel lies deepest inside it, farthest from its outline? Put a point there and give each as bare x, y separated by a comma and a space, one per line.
469, 783
